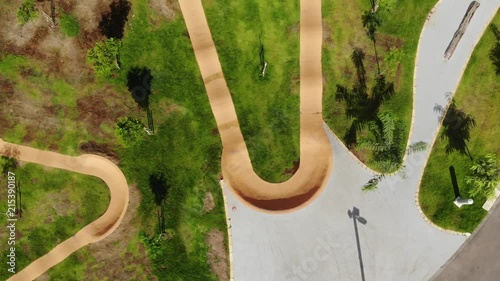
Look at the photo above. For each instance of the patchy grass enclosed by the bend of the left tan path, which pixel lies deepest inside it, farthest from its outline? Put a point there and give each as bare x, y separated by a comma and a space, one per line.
70, 201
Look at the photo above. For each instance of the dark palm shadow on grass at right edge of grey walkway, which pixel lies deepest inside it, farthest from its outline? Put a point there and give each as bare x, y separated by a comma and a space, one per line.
456, 128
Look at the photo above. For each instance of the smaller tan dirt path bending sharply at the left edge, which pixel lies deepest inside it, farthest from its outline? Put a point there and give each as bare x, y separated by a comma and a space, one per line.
99, 229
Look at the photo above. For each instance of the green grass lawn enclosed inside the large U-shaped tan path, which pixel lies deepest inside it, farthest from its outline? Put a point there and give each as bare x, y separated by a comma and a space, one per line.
267, 107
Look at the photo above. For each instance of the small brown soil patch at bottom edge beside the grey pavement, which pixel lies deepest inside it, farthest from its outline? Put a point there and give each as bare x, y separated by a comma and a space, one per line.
217, 254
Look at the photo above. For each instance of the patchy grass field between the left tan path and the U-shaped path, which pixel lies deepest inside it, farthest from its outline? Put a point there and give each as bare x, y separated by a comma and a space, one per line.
45, 108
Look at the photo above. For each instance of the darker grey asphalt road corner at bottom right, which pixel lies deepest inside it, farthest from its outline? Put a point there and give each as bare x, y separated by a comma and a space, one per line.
478, 258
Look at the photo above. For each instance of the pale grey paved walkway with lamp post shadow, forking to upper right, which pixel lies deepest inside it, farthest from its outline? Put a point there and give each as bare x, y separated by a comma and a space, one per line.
319, 242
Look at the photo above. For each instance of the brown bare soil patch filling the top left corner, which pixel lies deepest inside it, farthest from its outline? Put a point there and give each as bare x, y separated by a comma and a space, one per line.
38, 40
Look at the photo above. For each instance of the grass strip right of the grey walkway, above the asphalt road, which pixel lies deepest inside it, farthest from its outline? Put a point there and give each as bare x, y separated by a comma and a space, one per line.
478, 96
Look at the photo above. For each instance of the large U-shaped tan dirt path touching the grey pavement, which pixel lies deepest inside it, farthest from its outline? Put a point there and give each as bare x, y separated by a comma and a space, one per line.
316, 158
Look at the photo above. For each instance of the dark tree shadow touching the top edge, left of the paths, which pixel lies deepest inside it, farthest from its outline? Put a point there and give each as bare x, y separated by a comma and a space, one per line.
113, 22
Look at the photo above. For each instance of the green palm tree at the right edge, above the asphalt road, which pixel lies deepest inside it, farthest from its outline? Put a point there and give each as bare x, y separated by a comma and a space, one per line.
484, 176
